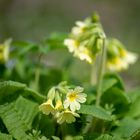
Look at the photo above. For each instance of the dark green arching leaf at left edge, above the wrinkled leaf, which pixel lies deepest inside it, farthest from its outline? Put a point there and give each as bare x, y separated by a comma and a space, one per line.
10, 90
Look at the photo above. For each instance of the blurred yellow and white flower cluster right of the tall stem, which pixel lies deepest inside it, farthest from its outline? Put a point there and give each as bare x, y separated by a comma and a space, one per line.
118, 58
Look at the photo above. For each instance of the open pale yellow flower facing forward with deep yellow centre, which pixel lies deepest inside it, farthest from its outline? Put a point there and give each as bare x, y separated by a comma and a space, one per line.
74, 98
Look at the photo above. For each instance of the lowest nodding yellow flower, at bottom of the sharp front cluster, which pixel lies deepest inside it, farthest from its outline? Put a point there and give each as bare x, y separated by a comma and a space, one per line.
67, 116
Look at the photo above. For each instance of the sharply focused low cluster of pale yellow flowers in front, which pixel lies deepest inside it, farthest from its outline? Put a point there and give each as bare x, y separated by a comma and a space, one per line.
63, 102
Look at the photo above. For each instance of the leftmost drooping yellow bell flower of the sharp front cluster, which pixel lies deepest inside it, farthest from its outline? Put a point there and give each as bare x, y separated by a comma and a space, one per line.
47, 107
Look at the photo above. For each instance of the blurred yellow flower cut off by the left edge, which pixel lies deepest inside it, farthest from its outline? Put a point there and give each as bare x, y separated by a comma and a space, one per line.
4, 51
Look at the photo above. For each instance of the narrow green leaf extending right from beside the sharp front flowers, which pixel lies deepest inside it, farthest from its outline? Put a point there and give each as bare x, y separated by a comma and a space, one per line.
97, 112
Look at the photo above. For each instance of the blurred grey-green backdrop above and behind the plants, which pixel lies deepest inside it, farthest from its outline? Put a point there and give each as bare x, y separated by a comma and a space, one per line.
36, 19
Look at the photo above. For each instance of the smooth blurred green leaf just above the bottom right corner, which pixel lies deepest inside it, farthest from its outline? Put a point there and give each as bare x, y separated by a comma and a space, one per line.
127, 127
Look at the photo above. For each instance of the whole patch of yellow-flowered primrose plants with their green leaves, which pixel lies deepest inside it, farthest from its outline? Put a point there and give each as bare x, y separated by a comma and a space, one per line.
38, 101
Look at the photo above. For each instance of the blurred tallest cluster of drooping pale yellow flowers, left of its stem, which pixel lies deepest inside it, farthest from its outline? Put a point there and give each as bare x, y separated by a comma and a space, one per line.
86, 38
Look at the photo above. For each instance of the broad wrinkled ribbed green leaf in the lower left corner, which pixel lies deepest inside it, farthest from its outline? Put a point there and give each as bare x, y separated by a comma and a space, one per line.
18, 117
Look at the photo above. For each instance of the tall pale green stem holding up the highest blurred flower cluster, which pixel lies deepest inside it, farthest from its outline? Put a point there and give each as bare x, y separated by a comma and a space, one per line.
101, 73
